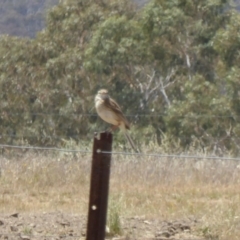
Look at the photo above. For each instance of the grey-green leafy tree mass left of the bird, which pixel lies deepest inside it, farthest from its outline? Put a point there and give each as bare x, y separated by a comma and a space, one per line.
57, 89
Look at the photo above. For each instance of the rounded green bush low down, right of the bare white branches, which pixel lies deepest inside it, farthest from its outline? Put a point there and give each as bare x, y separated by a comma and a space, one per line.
204, 120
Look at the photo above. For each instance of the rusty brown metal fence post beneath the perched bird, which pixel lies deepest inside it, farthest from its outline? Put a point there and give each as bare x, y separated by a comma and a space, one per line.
99, 185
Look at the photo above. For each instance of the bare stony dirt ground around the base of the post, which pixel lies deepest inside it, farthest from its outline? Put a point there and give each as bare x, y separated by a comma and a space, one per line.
59, 225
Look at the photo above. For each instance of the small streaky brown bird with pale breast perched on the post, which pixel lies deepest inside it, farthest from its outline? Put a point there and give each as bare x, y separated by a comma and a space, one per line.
110, 112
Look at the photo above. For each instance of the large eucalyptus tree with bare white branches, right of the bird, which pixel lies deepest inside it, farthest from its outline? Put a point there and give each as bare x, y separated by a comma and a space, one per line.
163, 60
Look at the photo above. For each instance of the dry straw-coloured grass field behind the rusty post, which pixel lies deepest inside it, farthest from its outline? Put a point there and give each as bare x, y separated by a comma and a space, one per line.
162, 188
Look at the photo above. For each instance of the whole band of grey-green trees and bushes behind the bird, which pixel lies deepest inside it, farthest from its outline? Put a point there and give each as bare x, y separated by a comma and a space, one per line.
173, 66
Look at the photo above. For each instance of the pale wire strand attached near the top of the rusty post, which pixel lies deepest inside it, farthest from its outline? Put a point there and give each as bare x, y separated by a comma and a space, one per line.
140, 154
